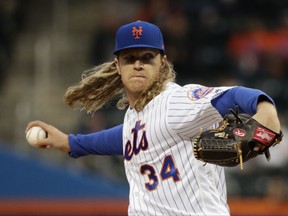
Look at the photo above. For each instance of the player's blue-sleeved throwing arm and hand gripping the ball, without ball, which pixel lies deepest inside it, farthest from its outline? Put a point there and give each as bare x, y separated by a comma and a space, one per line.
106, 142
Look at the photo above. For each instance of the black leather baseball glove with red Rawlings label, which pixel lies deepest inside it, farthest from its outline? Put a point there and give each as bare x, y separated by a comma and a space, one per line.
233, 142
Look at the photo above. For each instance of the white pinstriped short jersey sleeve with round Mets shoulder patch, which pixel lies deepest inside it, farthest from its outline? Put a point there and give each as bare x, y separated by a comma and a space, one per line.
189, 108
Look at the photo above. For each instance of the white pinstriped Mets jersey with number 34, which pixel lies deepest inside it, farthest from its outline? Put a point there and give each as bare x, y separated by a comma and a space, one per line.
163, 175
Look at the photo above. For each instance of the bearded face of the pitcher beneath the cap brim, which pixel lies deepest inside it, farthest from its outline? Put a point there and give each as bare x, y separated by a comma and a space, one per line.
138, 69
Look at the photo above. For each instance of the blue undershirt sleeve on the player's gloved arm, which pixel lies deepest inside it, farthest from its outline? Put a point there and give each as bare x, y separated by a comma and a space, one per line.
246, 98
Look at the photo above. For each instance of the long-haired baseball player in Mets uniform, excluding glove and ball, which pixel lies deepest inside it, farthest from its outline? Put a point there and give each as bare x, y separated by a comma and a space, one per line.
162, 118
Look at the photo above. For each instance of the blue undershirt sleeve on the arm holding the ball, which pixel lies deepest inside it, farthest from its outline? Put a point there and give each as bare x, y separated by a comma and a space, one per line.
106, 142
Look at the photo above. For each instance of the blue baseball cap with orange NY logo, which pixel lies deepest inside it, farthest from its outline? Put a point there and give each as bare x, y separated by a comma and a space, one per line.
139, 34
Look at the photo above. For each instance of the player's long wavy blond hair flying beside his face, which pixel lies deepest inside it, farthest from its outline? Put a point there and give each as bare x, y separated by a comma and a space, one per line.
102, 84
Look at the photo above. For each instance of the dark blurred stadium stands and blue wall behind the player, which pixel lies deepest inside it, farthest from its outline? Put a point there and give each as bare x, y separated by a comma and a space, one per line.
45, 45
